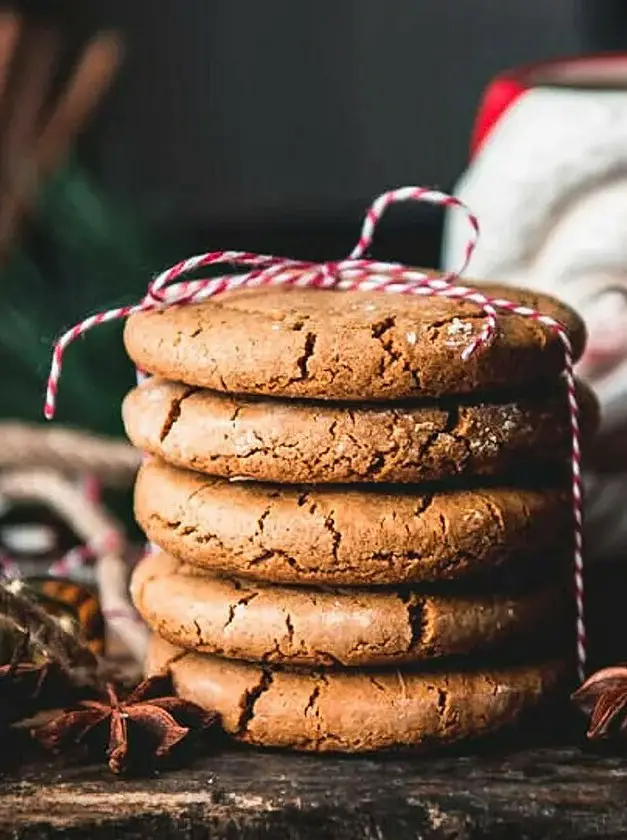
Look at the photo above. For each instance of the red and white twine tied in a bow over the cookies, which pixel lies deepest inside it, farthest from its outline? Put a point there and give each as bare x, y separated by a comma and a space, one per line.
356, 273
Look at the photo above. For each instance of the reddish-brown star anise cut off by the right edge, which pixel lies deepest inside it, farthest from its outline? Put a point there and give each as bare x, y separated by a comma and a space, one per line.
603, 697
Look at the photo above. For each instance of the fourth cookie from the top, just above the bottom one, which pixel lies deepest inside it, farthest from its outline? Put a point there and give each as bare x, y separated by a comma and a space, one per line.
334, 627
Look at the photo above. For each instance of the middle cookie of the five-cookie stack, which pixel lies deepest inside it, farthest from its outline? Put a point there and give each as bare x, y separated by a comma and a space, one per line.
349, 535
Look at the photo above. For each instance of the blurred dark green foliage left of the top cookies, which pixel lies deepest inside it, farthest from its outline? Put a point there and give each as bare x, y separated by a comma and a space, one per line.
80, 255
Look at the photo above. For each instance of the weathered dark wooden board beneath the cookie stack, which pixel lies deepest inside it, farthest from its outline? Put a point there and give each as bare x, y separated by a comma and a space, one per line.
566, 792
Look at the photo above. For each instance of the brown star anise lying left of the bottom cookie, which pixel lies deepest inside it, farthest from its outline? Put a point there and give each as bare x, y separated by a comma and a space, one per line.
134, 733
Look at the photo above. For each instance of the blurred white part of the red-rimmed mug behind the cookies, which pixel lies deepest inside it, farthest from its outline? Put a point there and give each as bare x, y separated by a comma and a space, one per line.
549, 186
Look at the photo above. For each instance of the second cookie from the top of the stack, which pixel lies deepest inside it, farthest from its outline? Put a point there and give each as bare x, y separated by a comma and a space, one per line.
287, 441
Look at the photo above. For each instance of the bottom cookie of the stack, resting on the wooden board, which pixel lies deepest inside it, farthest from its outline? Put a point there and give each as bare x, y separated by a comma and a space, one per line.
356, 711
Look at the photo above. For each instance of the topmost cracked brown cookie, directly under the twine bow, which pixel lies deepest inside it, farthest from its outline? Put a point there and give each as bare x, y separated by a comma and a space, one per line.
348, 345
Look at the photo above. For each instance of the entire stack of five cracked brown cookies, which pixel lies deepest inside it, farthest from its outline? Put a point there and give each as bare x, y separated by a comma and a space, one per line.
362, 540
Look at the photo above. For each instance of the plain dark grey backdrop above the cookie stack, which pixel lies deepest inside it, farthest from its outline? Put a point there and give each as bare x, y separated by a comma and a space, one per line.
263, 124
